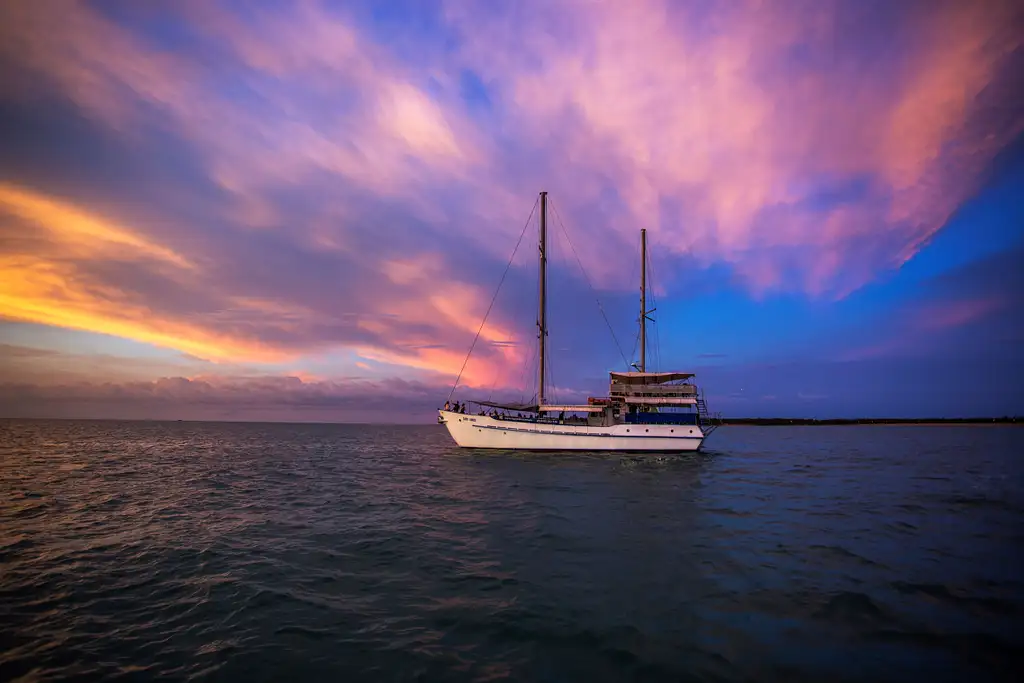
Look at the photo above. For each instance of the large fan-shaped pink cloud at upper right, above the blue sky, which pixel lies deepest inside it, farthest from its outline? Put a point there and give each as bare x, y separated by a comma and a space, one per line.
661, 102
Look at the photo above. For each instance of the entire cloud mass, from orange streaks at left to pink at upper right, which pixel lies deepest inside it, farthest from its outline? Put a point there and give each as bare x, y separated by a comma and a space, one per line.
342, 195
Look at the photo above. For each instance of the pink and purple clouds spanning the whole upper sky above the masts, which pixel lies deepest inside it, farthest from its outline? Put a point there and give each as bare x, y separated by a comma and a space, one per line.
657, 102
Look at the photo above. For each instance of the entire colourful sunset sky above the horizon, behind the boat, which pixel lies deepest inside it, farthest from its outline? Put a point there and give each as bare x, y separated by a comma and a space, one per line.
264, 210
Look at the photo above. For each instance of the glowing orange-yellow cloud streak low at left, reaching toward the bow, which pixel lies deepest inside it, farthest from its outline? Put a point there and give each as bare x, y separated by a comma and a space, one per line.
49, 279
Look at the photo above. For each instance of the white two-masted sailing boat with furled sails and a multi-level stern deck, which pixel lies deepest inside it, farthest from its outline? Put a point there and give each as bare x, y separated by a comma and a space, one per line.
663, 412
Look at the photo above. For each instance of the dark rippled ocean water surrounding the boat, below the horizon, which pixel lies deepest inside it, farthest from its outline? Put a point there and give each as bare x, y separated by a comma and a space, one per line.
269, 552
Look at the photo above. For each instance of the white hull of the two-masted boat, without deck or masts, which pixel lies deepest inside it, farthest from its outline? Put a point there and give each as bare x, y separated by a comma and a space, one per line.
479, 432
